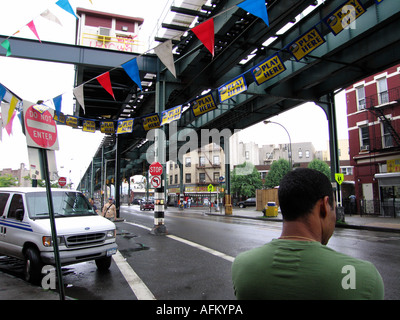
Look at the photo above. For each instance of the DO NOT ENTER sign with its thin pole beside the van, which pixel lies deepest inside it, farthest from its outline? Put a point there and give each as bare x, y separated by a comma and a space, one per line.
41, 132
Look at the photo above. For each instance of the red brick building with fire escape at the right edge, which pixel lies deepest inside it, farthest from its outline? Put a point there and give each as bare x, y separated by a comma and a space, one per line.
373, 116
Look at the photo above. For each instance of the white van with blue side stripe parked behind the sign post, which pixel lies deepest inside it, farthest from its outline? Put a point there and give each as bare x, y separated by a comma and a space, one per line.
25, 231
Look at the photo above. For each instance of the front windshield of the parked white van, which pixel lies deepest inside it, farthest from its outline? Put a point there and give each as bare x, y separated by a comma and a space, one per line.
66, 204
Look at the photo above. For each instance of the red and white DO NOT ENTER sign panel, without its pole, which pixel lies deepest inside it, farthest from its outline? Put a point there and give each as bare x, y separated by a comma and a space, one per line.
40, 129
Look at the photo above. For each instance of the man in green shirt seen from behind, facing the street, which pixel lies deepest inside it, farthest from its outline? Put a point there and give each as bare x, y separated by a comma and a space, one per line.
298, 265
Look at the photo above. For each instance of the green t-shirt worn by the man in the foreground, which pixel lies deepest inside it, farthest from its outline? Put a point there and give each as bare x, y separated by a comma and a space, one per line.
287, 269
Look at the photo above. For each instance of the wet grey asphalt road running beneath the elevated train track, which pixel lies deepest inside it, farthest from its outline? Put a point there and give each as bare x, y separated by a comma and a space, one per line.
193, 262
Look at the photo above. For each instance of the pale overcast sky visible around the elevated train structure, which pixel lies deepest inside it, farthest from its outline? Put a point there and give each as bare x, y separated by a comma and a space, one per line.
35, 80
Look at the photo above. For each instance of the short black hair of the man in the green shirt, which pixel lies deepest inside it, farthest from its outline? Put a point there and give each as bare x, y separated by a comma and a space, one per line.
300, 189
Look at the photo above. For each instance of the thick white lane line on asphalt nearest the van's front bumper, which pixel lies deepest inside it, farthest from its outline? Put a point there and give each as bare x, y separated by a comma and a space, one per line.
136, 284
